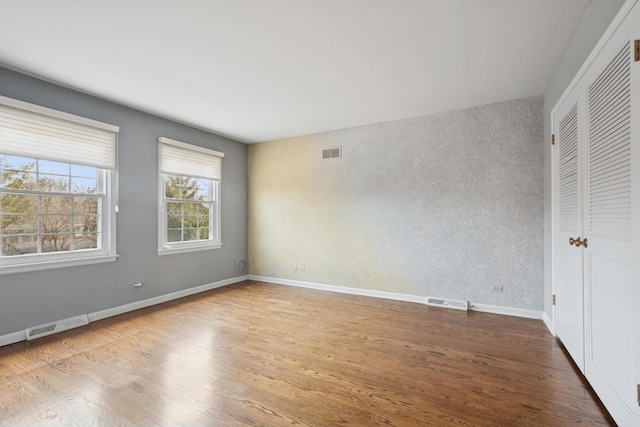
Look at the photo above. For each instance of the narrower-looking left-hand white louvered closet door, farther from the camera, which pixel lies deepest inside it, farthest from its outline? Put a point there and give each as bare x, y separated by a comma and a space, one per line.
569, 284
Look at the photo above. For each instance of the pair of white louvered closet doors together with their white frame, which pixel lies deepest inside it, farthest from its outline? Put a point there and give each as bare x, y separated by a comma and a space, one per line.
598, 124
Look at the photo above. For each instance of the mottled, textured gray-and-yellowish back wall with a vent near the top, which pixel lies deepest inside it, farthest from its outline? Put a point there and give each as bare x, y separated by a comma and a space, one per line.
443, 205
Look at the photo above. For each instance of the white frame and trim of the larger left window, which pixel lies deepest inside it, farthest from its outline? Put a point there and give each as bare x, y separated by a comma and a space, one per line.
106, 252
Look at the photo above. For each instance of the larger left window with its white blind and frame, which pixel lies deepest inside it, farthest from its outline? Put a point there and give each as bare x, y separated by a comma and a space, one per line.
57, 181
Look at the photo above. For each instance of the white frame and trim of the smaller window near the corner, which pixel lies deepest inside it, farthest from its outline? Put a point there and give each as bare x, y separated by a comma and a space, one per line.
165, 247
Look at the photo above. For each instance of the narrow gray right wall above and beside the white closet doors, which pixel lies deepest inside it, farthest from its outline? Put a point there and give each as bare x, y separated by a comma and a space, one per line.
593, 23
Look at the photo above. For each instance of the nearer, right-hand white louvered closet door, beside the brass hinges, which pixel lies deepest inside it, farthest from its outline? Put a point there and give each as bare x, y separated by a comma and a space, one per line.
611, 278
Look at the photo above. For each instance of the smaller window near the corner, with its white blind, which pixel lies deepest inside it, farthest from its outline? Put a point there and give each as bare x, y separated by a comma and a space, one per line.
189, 191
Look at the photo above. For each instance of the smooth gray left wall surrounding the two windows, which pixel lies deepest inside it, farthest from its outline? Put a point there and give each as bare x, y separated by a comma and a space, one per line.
30, 299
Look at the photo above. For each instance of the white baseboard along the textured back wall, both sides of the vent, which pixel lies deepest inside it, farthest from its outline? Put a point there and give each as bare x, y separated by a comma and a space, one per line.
486, 308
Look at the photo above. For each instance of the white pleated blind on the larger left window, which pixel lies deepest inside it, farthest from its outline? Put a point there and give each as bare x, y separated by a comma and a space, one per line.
29, 130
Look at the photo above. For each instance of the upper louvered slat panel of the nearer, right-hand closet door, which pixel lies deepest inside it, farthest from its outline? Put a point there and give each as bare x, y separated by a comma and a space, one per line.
609, 178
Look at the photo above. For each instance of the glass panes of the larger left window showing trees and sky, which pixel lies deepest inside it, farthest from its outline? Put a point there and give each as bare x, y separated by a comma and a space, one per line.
48, 207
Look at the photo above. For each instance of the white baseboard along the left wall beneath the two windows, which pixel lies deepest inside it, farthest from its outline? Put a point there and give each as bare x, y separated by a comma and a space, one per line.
15, 337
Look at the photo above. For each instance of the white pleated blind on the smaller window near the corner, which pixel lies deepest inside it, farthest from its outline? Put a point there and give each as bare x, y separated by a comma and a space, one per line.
178, 158
